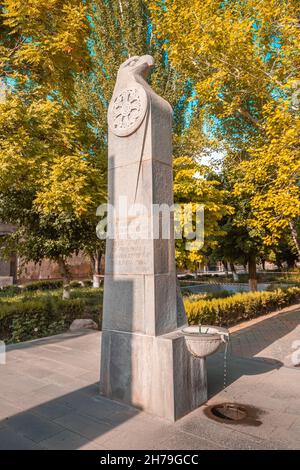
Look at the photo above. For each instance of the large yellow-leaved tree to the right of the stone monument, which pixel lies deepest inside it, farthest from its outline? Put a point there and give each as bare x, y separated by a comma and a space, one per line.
243, 58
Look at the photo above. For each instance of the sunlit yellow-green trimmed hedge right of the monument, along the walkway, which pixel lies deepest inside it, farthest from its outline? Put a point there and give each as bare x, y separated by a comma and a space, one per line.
239, 307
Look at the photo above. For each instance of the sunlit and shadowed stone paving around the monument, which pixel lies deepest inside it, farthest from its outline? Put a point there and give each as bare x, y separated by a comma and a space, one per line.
49, 397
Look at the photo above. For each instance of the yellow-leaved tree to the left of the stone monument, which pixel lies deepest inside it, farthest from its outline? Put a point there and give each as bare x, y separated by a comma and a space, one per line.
51, 180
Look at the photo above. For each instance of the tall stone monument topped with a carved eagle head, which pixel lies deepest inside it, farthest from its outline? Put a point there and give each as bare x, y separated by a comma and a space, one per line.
144, 359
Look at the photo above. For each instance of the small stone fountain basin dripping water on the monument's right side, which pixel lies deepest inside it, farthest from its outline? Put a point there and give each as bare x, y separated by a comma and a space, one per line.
205, 342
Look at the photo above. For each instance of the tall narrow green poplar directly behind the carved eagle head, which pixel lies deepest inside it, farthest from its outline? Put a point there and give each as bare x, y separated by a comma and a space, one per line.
120, 29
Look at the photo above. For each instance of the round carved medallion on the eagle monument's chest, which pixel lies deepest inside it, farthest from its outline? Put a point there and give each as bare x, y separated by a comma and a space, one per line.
127, 110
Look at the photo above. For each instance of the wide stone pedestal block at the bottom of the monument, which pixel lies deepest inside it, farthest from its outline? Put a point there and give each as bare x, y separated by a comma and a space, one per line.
154, 373
